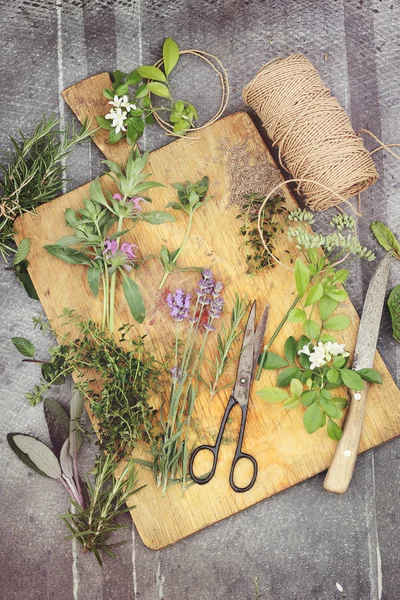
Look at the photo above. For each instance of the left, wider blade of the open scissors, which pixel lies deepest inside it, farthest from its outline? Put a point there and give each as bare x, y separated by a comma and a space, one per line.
245, 366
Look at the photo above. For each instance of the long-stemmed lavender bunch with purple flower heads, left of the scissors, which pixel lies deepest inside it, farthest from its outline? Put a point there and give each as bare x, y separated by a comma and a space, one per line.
171, 454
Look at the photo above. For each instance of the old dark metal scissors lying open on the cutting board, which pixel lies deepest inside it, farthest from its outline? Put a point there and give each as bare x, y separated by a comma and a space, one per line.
251, 348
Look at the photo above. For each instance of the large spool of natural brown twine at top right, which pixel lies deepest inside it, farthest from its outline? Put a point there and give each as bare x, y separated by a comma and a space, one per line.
317, 144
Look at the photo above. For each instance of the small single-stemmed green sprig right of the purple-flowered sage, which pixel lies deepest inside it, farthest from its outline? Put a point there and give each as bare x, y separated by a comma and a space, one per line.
191, 197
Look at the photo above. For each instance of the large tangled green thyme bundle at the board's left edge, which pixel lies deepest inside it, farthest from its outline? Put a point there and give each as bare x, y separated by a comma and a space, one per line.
117, 379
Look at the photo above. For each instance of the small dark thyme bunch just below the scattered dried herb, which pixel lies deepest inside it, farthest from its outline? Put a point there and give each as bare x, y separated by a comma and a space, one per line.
257, 256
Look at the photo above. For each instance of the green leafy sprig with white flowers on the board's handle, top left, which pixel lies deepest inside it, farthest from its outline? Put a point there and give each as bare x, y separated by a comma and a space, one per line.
130, 98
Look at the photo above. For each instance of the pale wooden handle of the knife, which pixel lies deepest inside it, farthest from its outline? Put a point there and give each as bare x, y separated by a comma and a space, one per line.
340, 472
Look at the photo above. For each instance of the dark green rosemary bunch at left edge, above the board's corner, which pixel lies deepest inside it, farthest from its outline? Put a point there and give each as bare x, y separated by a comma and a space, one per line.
34, 172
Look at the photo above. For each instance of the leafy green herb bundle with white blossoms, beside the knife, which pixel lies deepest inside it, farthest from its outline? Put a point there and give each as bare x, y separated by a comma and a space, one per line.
315, 363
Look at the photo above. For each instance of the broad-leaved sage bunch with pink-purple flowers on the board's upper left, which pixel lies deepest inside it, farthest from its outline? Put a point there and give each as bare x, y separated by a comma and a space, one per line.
93, 245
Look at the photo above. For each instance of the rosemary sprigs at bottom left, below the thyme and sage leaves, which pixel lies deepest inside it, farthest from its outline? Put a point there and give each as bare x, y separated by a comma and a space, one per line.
106, 496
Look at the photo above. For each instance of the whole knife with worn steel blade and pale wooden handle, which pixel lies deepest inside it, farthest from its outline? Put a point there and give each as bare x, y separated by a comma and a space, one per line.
340, 472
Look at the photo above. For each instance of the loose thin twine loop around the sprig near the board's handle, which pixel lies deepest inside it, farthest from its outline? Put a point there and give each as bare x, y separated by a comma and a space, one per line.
219, 68
